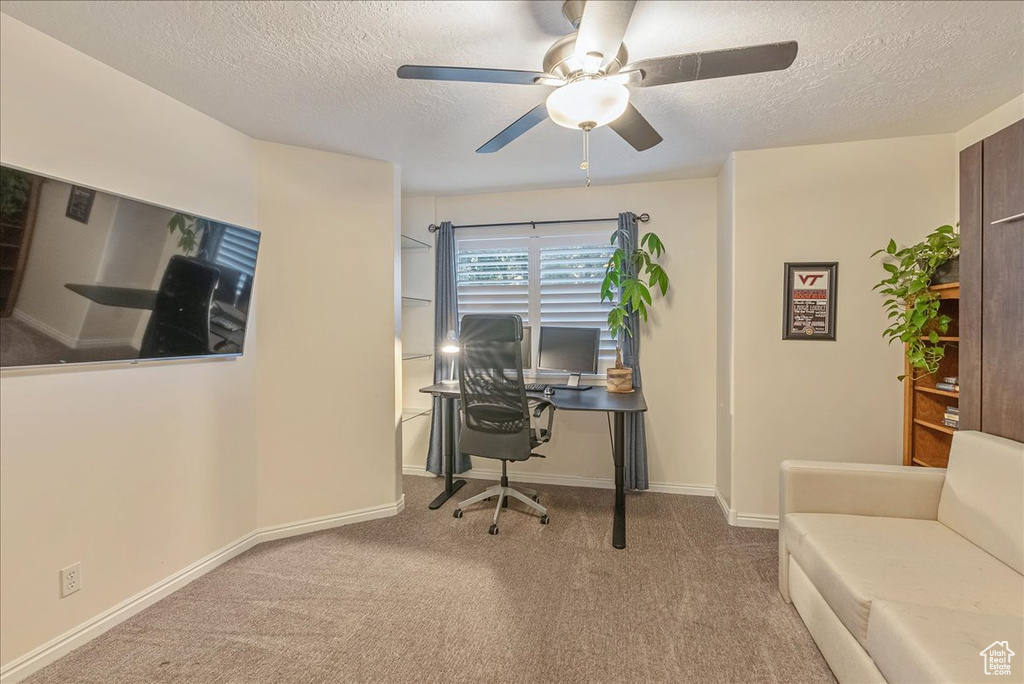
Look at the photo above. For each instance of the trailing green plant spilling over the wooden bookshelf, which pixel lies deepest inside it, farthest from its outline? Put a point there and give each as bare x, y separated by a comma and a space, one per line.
914, 310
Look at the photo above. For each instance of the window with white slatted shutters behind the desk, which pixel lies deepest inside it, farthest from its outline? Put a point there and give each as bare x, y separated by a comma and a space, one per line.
548, 280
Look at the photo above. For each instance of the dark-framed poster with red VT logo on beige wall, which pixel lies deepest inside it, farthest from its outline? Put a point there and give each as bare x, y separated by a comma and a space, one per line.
809, 302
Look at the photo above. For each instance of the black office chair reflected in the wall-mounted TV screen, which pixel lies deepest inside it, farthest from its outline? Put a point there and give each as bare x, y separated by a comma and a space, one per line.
180, 325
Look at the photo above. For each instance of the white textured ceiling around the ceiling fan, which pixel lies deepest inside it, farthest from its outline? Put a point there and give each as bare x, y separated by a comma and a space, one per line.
322, 75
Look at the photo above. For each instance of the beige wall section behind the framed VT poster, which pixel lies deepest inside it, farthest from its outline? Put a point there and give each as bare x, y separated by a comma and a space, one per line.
830, 401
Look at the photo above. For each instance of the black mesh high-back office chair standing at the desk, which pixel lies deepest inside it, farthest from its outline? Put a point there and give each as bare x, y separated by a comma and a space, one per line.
496, 413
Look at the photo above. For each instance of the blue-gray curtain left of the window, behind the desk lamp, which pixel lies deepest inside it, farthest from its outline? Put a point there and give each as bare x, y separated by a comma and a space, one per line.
446, 319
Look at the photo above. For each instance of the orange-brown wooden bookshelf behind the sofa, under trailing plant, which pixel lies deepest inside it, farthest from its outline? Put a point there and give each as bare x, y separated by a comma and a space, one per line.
926, 440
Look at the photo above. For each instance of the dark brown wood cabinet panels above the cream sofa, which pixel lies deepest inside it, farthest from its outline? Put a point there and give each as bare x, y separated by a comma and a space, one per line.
992, 358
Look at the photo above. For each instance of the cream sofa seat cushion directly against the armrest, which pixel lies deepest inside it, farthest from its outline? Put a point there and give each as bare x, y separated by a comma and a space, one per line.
855, 561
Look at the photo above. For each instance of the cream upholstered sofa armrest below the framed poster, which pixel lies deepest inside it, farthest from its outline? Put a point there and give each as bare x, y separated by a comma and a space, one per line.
858, 489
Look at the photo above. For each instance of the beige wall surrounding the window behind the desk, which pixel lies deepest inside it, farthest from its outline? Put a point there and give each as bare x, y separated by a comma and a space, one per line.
678, 350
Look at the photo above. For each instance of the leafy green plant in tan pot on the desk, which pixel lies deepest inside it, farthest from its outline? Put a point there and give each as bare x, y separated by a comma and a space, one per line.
636, 274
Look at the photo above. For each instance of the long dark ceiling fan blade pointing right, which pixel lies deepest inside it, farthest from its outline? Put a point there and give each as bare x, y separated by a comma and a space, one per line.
716, 64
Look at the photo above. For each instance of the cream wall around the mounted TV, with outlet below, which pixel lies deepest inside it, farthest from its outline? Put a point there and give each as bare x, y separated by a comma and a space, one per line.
137, 473
